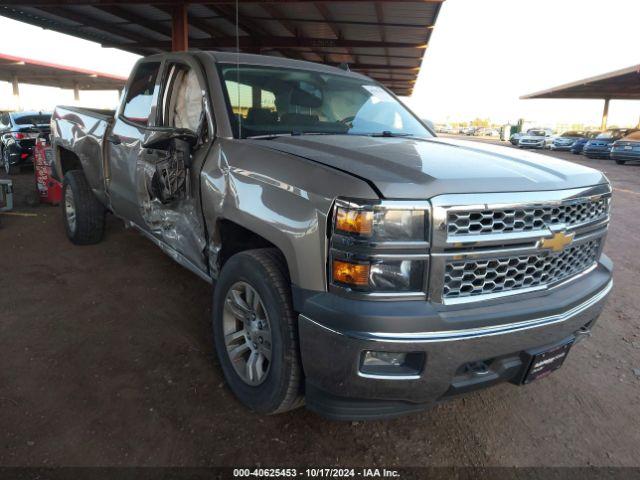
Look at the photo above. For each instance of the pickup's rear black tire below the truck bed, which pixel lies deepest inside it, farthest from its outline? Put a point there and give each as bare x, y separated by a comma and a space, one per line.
89, 212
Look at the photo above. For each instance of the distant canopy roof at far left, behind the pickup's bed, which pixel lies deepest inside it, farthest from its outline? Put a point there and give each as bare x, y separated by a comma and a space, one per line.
36, 72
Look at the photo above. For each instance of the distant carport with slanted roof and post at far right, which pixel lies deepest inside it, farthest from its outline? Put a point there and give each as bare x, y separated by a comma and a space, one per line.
618, 85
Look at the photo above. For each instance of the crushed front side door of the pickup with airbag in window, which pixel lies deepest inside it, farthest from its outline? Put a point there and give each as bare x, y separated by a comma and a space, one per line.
168, 192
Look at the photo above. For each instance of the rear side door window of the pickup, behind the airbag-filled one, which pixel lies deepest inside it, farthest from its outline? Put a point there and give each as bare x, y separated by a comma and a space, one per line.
141, 94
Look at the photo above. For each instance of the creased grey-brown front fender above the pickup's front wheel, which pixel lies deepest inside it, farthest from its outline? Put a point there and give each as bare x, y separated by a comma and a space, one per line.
283, 198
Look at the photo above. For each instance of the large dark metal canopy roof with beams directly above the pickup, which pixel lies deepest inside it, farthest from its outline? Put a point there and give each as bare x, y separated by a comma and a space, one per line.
385, 39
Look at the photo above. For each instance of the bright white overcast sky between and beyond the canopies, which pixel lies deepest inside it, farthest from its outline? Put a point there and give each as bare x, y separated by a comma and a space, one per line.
482, 56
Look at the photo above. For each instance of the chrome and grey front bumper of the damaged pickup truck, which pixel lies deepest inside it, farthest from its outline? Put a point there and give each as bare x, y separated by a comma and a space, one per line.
502, 336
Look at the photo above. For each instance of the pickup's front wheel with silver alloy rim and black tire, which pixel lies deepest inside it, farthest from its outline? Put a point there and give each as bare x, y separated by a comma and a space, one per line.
255, 331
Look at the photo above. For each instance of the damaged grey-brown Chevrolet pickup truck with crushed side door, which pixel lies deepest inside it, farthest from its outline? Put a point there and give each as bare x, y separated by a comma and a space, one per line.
362, 266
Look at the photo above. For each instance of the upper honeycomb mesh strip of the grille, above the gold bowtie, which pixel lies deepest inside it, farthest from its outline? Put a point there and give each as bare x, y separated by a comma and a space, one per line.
473, 222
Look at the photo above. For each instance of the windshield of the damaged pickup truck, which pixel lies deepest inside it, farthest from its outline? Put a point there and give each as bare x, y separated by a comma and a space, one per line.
266, 101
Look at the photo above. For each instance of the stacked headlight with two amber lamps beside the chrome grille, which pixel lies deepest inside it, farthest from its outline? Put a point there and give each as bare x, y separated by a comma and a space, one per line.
379, 247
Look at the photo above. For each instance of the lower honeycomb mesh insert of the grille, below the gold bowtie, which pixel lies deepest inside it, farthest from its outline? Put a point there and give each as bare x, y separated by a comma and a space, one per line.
504, 273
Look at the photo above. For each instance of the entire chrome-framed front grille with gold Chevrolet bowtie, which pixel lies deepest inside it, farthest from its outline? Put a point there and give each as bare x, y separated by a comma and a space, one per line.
486, 246
